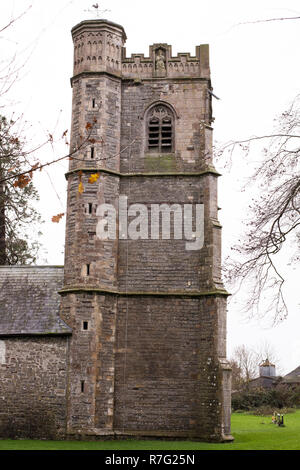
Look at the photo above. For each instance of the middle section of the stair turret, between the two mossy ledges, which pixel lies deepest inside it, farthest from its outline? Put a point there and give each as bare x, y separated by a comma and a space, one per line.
82, 246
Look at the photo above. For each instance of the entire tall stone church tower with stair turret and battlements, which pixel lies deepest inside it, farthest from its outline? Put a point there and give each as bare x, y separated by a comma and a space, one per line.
147, 352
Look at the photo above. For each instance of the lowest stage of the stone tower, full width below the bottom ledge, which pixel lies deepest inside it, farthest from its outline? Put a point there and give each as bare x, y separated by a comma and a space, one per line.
150, 366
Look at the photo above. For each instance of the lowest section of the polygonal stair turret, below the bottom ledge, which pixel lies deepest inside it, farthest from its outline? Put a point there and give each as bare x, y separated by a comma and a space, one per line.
90, 397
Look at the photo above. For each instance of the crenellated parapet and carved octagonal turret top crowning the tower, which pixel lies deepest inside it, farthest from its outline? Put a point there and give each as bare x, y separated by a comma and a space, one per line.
98, 47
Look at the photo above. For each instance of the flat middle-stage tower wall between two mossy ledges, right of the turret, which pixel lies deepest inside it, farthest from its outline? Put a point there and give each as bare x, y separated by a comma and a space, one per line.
166, 265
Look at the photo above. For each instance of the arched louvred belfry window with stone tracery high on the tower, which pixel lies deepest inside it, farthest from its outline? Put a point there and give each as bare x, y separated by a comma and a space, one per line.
160, 129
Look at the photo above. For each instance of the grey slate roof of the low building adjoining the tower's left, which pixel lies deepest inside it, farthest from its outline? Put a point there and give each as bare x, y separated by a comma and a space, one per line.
29, 302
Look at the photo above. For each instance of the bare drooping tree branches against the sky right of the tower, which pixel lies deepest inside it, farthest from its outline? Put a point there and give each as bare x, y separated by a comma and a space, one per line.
274, 215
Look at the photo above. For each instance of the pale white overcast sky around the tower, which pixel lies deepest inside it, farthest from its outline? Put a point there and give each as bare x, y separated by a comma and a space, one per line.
255, 71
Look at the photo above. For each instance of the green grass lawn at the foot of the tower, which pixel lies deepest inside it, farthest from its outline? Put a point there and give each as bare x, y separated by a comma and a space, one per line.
250, 433
